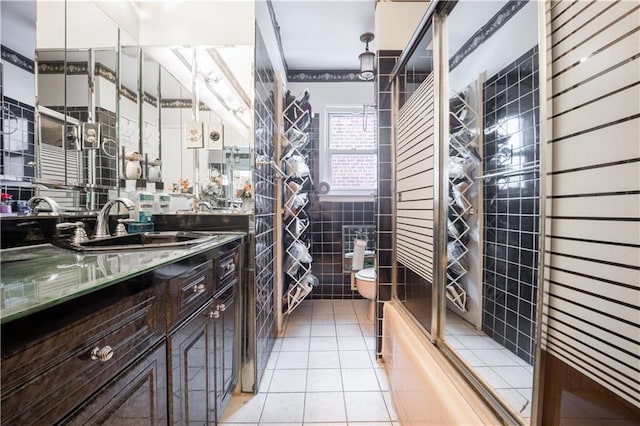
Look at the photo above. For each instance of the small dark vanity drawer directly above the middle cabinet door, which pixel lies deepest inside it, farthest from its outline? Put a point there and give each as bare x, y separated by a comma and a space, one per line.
187, 291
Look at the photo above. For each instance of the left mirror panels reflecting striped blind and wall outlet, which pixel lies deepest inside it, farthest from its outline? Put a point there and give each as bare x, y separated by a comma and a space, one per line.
76, 92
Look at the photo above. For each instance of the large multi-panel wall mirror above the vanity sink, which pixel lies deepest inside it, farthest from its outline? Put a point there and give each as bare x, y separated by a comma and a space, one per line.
84, 81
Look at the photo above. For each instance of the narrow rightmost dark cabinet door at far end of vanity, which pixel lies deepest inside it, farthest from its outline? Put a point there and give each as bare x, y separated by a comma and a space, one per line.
225, 350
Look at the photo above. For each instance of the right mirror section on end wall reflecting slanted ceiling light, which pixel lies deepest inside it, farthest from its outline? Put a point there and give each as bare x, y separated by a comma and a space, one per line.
226, 159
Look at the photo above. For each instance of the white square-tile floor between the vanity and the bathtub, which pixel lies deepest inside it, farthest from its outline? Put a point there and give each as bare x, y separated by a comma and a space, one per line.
323, 370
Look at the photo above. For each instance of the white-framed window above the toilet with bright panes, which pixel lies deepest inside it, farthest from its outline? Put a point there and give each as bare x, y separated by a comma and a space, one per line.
349, 157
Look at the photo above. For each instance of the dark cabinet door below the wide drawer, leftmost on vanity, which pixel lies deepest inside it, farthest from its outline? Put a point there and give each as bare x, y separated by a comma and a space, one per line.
136, 396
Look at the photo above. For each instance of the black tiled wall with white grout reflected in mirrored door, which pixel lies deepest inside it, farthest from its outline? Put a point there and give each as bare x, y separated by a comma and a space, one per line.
511, 205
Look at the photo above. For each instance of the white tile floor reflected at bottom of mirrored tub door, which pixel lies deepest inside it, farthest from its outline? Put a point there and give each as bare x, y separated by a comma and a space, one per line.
509, 375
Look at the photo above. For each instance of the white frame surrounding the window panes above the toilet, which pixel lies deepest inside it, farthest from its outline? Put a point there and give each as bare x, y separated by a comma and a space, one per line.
325, 153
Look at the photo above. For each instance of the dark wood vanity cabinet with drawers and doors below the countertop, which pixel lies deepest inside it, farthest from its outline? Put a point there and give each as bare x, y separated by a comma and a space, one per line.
157, 348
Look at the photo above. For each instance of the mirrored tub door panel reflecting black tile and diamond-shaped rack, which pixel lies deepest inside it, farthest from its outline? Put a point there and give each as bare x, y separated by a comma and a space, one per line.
493, 191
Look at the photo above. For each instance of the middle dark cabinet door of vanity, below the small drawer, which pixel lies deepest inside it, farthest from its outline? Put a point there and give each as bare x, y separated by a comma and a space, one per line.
192, 398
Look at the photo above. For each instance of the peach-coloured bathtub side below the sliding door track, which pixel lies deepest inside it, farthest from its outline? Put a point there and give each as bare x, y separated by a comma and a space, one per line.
426, 388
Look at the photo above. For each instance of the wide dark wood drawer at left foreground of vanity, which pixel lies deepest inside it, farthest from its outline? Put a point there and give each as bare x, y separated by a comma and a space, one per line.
54, 360
